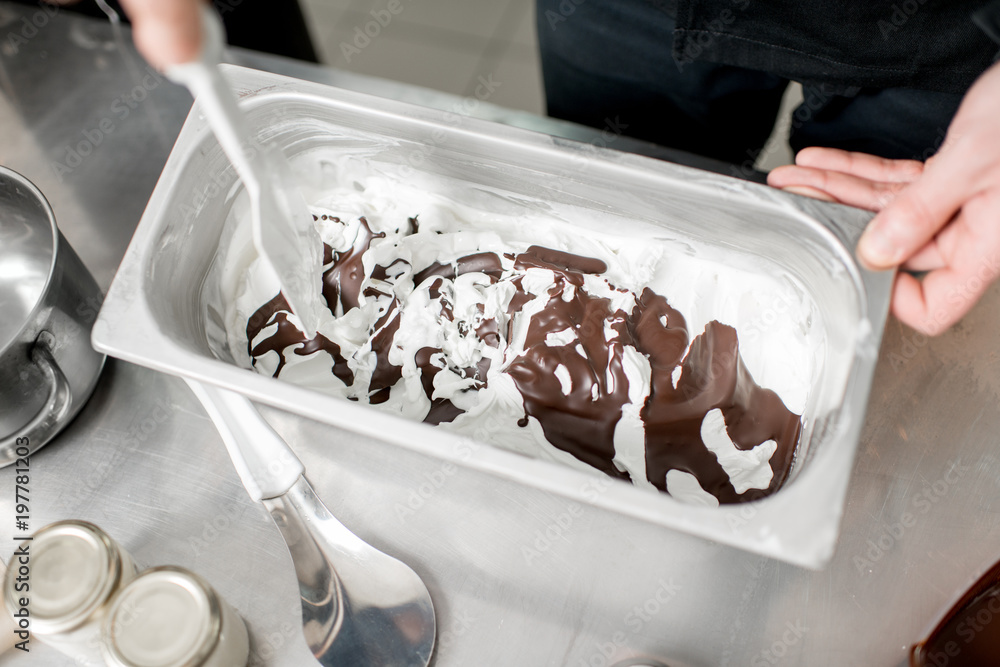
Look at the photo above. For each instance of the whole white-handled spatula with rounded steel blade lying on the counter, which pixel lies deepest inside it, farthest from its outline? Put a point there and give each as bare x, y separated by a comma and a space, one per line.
360, 607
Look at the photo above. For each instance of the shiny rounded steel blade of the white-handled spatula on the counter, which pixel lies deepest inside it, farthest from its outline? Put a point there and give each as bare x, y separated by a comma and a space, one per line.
348, 618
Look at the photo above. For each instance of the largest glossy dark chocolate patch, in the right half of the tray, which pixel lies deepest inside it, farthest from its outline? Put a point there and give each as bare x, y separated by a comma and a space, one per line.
712, 376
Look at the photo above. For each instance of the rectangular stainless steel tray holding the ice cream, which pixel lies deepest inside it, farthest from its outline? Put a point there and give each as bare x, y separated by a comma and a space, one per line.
162, 310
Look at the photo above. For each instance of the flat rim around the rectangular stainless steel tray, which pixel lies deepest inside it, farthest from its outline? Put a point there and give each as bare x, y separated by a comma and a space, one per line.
775, 526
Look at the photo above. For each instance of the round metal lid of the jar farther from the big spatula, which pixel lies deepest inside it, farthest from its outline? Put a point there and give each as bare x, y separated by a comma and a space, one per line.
73, 567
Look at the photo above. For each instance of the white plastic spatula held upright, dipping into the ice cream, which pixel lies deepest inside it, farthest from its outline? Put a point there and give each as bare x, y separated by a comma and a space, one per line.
283, 232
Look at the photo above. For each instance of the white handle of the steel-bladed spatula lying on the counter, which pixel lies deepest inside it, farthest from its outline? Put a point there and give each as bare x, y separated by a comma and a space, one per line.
266, 465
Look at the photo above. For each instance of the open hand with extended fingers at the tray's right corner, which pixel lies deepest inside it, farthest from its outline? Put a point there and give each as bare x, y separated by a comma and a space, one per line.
942, 216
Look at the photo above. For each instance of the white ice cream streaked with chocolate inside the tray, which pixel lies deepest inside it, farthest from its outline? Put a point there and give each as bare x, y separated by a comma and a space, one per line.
781, 352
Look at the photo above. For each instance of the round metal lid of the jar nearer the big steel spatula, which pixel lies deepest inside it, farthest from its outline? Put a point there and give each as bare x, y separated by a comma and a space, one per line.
166, 617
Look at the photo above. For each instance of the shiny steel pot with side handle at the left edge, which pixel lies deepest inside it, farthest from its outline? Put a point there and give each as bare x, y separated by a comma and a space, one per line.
48, 303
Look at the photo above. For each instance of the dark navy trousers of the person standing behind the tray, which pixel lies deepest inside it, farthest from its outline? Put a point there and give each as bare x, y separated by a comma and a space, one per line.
610, 62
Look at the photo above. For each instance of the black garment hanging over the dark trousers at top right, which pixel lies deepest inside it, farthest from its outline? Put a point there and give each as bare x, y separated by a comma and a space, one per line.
922, 44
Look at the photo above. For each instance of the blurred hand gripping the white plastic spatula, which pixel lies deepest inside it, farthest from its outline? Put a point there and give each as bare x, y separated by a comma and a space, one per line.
166, 32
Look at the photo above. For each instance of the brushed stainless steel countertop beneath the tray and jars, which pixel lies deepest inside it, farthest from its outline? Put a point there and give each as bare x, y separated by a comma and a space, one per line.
519, 577
